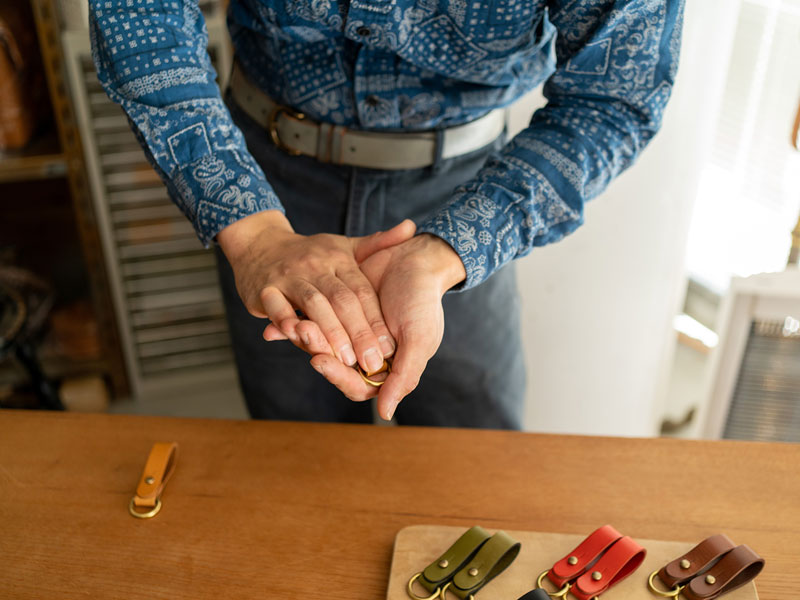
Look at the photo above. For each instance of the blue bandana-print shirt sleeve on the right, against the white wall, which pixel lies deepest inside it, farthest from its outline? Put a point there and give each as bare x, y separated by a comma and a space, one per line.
615, 66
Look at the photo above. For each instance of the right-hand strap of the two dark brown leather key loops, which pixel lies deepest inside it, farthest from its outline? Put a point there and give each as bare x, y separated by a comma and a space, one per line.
735, 569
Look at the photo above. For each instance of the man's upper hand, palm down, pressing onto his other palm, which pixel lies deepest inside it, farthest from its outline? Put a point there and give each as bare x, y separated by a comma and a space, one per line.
279, 271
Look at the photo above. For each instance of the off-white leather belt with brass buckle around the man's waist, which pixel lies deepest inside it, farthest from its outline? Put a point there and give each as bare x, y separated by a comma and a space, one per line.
297, 134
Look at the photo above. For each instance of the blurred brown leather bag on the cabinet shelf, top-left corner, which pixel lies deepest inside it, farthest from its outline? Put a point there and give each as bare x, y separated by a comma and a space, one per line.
21, 81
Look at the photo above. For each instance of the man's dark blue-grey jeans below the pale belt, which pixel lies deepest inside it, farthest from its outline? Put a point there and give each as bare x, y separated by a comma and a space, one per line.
477, 377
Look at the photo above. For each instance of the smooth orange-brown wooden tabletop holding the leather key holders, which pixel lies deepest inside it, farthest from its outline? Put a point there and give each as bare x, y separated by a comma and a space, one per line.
287, 510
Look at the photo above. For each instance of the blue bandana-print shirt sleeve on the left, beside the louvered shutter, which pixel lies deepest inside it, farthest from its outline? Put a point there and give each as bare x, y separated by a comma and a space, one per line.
151, 58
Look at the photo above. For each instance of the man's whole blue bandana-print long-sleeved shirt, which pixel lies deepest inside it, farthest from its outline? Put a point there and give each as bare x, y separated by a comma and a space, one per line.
609, 67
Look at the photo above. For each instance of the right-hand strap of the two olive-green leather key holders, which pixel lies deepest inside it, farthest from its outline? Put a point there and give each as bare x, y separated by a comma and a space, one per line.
492, 559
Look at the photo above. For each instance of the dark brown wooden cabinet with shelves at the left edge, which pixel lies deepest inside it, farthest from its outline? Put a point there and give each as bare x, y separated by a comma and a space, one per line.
49, 226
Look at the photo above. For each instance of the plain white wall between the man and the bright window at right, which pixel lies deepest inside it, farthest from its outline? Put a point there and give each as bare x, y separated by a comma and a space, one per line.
598, 306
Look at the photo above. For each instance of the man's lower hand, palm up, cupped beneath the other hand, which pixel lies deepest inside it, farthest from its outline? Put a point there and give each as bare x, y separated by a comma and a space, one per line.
411, 279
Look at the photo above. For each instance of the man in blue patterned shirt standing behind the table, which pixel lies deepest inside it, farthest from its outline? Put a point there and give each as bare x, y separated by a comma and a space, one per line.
363, 113
